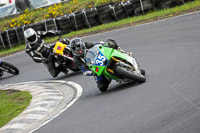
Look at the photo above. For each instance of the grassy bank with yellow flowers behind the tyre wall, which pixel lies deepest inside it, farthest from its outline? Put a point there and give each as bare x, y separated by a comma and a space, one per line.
33, 16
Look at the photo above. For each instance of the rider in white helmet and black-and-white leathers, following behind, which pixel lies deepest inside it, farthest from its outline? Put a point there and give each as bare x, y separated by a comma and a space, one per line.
41, 51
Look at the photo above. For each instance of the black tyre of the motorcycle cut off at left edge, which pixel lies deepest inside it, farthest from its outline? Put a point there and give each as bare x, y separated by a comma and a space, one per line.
9, 68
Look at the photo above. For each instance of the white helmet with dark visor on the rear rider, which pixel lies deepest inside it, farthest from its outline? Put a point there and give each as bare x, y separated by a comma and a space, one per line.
31, 35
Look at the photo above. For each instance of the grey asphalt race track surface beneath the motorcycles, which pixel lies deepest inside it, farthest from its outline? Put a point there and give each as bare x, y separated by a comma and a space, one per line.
168, 102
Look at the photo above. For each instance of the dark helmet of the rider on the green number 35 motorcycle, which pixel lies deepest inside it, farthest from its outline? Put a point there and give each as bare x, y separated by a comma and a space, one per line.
77, 46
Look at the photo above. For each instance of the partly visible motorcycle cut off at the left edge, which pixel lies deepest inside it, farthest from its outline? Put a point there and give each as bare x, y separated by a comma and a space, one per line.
7, 67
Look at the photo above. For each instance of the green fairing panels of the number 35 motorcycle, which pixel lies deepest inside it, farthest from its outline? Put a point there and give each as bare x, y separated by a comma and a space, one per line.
108, 53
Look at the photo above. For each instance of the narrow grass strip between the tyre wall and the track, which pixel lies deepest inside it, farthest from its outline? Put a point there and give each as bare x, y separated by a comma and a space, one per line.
131, 21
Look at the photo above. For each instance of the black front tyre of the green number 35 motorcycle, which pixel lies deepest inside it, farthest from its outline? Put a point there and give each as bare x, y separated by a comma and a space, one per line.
130, 75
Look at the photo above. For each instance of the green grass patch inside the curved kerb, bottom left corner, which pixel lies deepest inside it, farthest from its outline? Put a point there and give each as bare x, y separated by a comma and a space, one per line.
12, 104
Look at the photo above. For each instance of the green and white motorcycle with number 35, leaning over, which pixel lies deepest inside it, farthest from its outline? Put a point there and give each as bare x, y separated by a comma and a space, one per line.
114, 65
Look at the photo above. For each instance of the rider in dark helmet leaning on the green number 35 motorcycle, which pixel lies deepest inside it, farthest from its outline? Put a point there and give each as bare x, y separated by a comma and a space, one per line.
79, 49
